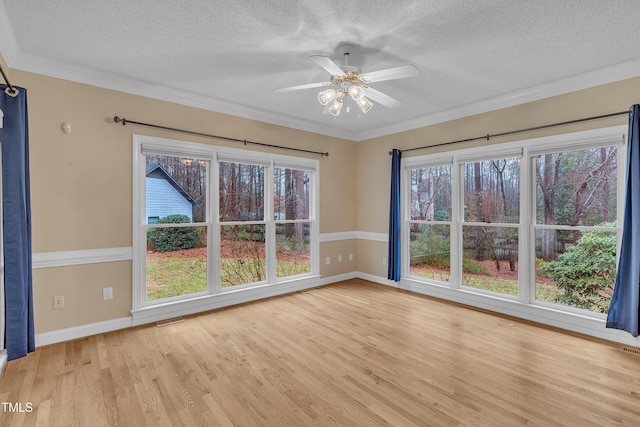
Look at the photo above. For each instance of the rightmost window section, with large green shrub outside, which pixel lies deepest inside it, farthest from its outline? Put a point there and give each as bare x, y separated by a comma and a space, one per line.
575, 226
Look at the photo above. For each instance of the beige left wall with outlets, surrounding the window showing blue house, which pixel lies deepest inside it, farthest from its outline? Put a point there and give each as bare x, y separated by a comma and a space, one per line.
81, 186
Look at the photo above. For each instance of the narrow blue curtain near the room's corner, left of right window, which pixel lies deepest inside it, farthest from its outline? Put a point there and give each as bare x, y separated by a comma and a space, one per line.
393, 272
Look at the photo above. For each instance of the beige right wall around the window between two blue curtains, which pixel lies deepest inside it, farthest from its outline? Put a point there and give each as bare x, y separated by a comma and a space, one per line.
374, 163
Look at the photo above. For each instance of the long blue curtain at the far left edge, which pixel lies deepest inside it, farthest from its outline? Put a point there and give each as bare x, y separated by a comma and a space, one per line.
16, 209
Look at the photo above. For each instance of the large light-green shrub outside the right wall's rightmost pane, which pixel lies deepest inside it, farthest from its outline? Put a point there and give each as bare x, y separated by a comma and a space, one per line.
586, 271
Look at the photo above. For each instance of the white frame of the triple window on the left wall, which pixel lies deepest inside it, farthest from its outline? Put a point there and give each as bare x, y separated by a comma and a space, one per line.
214, 295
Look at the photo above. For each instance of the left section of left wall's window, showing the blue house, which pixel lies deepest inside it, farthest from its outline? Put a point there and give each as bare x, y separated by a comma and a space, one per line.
176, 249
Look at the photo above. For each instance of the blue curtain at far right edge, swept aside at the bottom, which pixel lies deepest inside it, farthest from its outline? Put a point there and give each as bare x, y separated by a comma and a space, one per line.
623, 311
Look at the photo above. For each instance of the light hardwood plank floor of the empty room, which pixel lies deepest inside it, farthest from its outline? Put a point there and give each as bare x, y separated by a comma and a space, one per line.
349, 354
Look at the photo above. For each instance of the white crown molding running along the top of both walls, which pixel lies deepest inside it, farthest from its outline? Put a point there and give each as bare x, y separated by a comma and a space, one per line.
106, 80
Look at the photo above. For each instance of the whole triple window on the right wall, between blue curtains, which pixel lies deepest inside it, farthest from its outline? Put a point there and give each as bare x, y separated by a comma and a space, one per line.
532, 222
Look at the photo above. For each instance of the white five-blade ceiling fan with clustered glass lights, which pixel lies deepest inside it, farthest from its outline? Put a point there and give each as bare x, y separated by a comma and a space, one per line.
347, 80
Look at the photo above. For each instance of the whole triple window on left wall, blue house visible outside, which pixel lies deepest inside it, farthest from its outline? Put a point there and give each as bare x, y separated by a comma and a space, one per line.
209, 220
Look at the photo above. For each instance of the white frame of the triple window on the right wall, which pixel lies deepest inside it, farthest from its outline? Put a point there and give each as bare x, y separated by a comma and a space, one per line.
524, 305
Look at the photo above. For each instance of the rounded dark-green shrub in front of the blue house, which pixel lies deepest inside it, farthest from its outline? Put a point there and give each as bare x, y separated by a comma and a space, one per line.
171, 239
